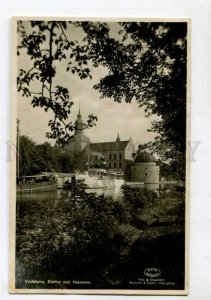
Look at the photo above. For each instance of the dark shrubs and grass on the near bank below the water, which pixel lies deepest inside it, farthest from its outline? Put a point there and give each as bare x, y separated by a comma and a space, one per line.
92, 238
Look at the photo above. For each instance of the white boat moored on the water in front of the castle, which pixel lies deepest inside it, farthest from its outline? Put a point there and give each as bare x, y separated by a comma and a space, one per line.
100, 178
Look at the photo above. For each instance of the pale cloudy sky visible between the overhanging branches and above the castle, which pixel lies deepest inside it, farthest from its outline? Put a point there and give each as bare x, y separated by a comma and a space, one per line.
125, 119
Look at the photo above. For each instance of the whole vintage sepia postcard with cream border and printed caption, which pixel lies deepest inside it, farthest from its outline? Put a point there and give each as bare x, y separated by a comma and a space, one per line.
100, 171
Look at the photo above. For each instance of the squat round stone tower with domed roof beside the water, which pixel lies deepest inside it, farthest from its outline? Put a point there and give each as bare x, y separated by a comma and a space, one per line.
145, 168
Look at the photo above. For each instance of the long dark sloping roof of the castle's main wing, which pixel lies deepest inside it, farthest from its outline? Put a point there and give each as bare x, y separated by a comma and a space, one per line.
109, 146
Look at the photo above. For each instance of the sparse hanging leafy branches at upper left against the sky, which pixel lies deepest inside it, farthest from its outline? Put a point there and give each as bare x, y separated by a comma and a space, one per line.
47, 44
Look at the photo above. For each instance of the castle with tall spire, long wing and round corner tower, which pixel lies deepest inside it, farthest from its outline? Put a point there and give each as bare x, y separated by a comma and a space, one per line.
116, 156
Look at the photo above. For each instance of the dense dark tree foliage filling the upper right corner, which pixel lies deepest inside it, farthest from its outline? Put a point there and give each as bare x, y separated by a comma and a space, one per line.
146, 62
